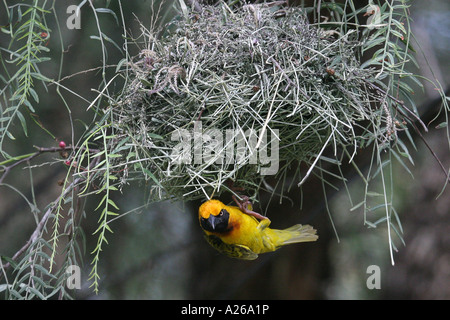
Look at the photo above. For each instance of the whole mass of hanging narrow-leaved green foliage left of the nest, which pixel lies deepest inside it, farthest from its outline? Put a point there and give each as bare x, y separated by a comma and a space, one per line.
39, 267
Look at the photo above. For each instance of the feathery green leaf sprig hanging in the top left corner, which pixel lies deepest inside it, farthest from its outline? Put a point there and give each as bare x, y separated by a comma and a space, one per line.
28, 32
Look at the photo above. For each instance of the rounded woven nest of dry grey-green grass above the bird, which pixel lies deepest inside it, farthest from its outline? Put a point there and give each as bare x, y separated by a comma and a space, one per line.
227, 71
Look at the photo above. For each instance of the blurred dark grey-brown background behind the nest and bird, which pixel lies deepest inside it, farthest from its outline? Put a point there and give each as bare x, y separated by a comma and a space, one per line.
158, 252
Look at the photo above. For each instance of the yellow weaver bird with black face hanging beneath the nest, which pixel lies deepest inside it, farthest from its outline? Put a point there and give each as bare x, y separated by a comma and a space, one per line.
235, 231
